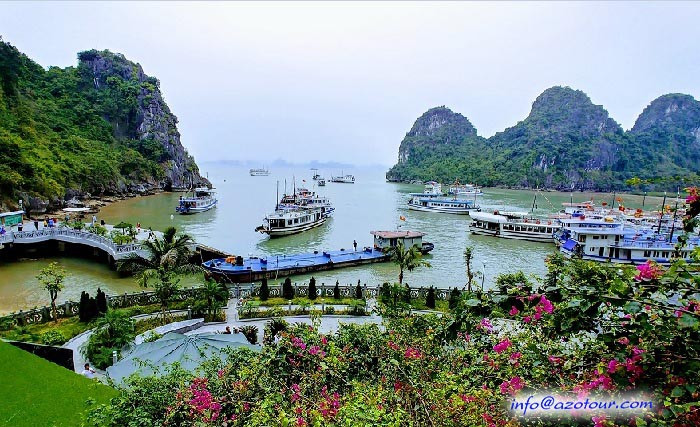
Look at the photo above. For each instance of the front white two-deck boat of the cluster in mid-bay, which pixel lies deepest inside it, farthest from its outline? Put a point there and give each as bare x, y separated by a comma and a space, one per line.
287, 220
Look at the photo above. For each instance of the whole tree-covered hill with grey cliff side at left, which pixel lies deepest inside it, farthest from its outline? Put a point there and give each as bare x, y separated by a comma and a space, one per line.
83, 129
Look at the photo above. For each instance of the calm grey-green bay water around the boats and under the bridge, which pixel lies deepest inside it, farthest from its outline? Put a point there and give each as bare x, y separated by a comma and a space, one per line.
369, 204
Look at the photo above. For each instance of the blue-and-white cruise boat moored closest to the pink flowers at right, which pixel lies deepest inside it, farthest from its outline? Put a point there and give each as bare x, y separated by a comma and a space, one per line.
622, 244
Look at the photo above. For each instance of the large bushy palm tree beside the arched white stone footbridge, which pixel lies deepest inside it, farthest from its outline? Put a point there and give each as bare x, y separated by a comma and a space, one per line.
167, 258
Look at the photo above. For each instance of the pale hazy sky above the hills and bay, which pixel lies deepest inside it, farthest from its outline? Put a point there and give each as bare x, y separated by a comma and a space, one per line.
345, 82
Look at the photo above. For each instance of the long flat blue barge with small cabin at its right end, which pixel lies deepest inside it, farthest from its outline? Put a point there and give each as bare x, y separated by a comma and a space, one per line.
236, 269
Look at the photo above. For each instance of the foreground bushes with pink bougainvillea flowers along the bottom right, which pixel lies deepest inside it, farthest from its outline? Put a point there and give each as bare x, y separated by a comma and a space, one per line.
583, 330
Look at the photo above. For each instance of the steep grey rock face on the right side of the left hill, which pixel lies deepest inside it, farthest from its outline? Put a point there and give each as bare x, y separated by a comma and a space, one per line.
147, 119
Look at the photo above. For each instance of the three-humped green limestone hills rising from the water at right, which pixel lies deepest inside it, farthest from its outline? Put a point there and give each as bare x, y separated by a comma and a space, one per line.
566, 142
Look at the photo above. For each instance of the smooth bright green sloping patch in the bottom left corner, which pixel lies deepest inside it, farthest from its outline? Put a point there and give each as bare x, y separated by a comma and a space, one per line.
36, 393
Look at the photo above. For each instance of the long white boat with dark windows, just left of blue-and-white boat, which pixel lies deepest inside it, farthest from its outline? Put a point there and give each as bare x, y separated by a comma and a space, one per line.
513, 225
